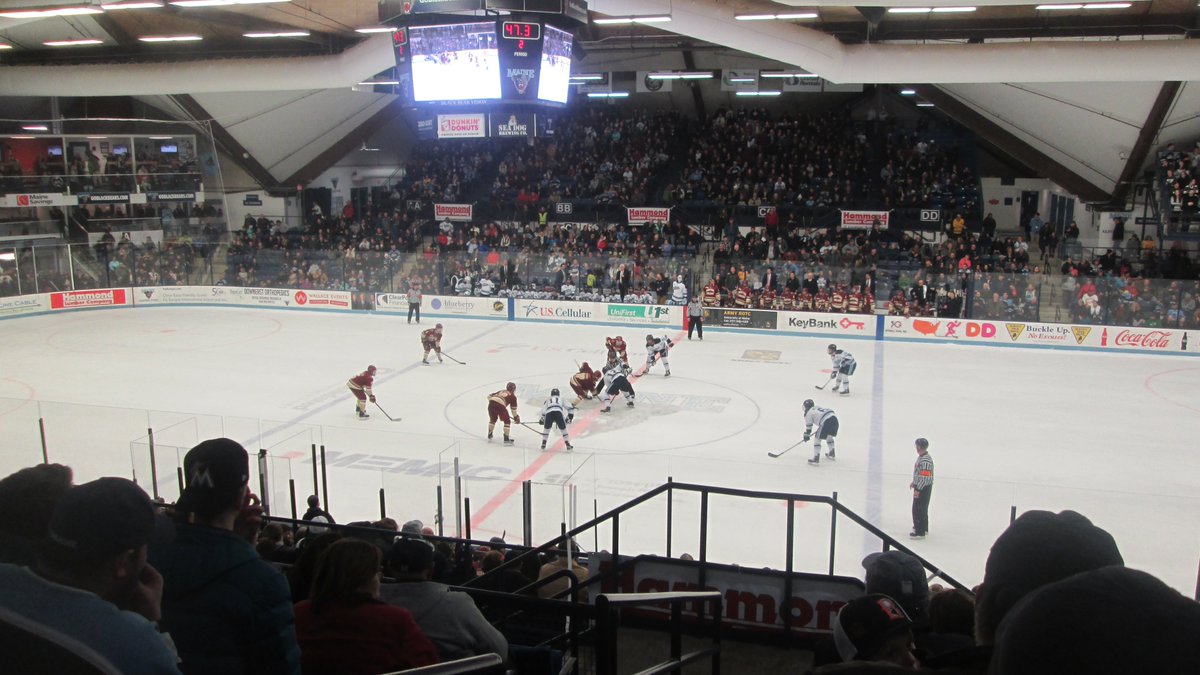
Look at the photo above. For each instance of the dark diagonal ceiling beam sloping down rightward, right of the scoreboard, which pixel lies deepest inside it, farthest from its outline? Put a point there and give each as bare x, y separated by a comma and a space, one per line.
1009, 144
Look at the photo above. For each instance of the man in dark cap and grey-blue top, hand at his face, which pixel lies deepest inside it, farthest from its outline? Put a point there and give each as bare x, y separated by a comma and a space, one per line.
92, 590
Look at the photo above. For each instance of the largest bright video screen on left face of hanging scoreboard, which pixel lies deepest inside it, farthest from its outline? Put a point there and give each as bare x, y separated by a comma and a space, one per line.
455, 63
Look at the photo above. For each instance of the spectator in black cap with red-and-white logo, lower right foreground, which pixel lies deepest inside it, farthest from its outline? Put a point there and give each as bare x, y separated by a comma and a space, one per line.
874, 628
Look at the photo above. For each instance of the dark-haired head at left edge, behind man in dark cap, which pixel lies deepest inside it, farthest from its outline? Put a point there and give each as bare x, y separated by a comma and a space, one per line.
28, 500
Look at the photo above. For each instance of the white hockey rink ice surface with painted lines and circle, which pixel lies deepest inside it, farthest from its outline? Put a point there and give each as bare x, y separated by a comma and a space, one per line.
1112, 437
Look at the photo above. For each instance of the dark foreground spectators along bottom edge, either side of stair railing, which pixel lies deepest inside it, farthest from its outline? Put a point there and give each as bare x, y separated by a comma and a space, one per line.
100, 578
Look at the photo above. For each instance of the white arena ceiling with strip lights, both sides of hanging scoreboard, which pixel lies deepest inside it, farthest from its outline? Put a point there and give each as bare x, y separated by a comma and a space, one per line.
1081, 95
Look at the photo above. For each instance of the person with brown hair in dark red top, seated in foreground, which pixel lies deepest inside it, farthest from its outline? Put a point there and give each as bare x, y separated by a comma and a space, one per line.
346, 630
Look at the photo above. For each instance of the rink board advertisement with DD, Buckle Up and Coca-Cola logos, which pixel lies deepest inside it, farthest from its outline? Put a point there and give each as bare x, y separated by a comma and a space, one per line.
1162, 341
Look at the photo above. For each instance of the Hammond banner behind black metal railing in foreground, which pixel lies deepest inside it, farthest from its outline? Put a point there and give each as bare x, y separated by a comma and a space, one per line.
753, 600
